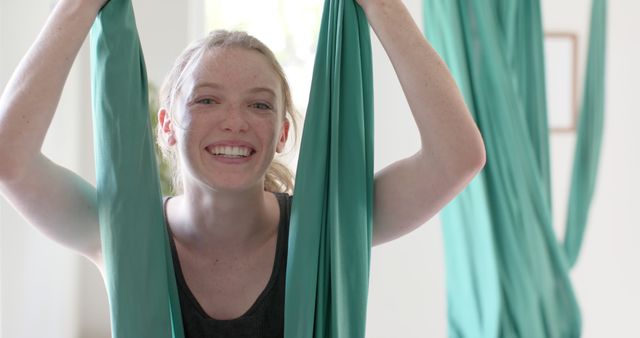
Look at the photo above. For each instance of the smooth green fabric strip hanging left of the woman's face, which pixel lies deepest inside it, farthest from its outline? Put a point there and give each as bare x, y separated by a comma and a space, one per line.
140, 278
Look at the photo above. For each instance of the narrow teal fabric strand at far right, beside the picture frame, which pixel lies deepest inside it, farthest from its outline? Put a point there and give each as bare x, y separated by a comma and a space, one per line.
590, 130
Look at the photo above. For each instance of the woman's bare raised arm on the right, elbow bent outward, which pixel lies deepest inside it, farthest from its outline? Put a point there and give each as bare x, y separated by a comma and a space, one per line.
410, 191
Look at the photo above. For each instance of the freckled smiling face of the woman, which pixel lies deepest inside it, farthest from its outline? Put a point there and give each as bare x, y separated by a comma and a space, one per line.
229, 120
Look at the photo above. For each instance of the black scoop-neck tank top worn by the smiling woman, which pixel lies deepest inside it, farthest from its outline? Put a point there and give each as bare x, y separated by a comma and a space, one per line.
264, 319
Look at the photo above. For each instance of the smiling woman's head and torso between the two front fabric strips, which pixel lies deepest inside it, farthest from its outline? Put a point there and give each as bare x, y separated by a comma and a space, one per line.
223, 118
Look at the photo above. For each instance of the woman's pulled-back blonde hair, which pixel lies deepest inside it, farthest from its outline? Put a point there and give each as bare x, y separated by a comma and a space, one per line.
279, 177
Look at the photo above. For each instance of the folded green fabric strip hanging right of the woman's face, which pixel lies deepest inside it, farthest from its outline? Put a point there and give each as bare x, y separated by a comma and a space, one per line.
330, 236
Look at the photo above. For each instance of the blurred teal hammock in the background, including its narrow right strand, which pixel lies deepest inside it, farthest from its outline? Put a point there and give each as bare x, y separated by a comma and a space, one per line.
507, 275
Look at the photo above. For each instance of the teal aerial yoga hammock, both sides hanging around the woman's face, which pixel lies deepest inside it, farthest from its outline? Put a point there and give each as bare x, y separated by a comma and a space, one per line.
331, 218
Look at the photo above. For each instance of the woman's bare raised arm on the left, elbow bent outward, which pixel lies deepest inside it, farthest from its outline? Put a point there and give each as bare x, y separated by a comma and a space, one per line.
55, 200
